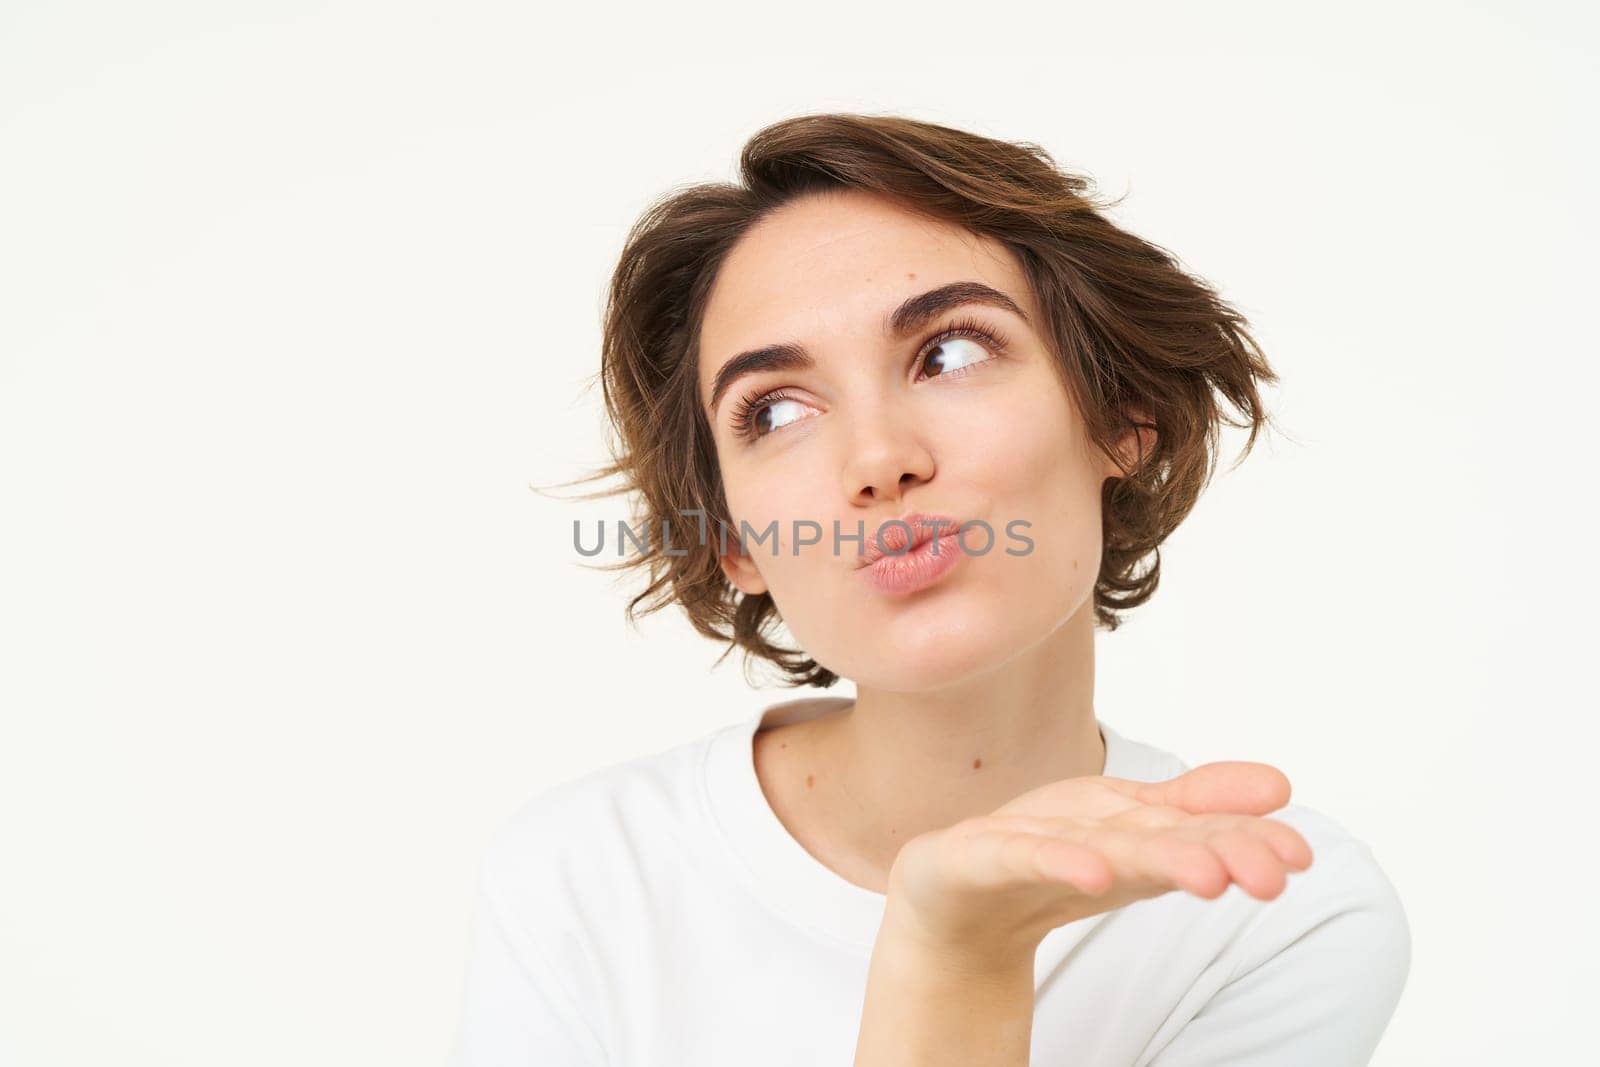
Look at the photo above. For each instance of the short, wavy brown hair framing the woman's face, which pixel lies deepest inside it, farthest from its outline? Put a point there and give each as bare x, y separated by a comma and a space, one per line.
1130, 330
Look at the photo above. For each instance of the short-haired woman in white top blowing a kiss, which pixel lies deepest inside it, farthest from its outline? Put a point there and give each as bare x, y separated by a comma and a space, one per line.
906, 393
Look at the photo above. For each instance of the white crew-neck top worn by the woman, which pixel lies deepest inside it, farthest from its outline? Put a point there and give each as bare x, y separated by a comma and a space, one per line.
658, 913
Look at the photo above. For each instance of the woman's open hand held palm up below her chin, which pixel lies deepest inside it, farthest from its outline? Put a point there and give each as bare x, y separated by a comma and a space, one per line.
983, 893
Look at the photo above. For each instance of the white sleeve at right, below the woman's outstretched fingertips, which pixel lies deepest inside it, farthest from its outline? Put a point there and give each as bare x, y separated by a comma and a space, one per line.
1316, 985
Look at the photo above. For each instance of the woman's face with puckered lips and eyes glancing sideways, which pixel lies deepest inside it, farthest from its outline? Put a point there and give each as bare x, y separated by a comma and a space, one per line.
884, 423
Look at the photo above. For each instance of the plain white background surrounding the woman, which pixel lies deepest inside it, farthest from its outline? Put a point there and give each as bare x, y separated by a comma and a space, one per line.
297, 302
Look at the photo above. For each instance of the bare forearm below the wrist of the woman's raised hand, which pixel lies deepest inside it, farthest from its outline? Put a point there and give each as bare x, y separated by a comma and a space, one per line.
932, 1010
